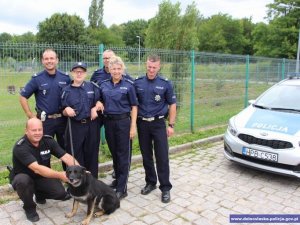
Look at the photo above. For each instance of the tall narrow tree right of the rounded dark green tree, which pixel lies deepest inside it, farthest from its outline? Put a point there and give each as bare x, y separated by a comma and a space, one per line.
96, 13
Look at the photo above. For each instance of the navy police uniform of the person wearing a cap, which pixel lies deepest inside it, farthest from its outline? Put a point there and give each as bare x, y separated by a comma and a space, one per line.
85, 132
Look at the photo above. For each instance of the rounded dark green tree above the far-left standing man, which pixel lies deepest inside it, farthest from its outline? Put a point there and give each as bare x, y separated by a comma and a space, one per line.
62, 28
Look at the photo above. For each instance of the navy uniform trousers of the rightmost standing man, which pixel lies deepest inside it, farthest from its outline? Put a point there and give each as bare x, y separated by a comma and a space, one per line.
154, 133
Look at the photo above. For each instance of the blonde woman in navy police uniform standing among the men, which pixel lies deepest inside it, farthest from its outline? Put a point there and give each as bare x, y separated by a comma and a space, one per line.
120, 112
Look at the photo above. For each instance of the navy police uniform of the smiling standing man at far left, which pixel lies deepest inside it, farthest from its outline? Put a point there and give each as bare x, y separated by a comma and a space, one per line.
47, 90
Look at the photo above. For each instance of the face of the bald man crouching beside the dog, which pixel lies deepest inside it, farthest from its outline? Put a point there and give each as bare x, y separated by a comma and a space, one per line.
34, 131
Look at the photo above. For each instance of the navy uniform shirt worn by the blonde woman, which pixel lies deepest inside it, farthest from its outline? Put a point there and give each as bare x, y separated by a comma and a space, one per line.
118, 98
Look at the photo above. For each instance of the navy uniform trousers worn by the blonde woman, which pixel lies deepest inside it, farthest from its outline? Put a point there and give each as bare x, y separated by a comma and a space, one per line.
119, 144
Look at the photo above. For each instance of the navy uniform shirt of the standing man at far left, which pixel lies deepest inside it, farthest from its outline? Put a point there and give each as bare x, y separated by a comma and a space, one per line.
47, 90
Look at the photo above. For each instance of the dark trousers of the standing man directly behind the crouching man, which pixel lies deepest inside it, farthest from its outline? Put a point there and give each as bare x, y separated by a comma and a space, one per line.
56, 127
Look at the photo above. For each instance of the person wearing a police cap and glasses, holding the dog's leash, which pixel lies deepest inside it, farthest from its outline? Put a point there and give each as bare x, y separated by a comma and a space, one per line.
80, 103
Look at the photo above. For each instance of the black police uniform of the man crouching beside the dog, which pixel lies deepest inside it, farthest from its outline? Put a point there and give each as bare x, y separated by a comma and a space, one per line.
26, 182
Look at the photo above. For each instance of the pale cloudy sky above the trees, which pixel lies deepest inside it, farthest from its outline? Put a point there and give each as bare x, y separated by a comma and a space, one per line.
21, 16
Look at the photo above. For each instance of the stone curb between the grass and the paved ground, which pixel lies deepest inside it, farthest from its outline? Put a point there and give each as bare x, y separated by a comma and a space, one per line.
138, 158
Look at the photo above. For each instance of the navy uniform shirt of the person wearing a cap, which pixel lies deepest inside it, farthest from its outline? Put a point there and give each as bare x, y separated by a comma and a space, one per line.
81, 98
